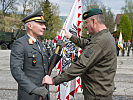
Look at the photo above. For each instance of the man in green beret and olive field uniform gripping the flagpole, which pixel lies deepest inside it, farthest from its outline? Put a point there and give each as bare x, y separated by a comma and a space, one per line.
97, 62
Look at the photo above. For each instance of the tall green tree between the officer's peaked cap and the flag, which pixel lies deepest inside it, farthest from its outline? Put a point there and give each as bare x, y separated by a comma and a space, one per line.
53, 22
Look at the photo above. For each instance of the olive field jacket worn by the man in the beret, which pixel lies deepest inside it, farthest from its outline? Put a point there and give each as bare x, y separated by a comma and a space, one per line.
96, 65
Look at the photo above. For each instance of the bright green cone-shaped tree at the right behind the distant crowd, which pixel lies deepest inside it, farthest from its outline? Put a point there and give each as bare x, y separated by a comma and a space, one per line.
125, 28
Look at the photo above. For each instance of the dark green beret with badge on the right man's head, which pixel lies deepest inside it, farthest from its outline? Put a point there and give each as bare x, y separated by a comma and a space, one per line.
92, 12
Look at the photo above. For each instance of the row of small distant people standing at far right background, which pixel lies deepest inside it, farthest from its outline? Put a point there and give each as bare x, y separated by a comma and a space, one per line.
127, 48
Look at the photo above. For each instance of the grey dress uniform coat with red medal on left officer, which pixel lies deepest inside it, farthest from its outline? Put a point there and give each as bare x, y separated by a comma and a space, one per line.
27, 75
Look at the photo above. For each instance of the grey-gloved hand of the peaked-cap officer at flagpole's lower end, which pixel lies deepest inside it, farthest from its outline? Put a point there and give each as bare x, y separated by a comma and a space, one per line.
41, 91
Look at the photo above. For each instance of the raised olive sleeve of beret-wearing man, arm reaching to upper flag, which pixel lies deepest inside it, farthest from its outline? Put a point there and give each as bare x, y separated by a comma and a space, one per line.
80, 42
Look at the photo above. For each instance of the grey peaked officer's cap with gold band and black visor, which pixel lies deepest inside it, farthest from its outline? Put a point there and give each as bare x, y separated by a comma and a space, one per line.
37, 16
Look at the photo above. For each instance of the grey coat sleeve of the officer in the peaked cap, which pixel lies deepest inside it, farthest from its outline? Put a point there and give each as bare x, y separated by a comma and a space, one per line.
16, 67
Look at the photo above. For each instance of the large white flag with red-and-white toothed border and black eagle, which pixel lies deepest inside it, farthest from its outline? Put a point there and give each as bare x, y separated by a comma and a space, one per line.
73, 24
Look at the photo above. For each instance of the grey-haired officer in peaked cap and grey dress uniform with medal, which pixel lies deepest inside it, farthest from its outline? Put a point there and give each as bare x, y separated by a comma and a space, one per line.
29, 61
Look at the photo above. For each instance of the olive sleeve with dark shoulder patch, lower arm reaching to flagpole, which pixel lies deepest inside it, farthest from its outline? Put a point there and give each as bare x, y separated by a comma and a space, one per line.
91, 54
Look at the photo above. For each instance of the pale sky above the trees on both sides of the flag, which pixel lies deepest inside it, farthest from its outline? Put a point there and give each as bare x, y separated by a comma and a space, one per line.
65, 5
